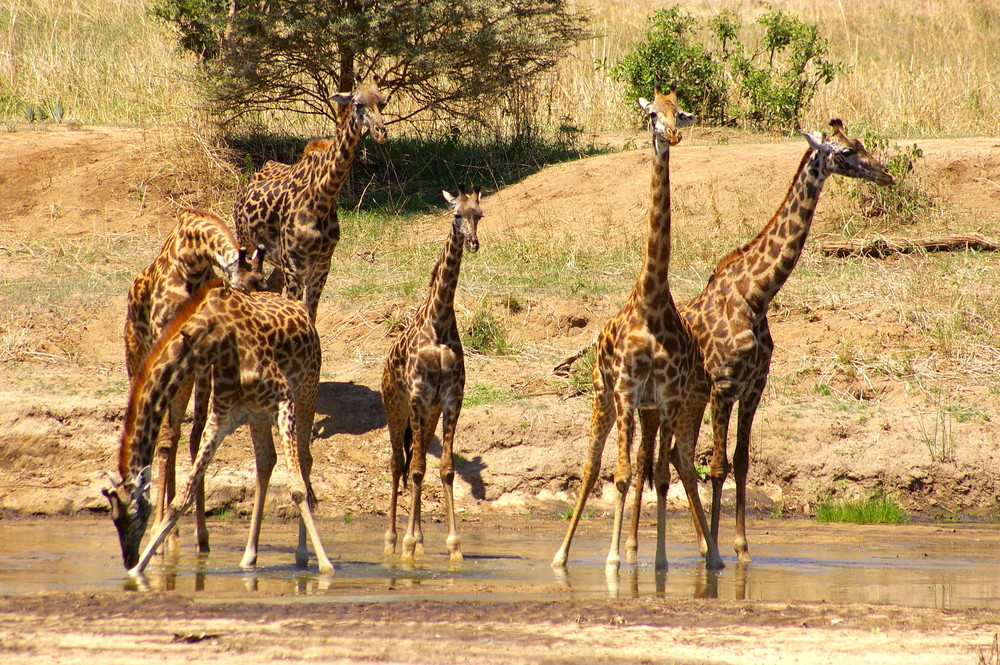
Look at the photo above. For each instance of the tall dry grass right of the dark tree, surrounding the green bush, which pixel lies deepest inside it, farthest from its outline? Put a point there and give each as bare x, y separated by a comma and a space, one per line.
917, 68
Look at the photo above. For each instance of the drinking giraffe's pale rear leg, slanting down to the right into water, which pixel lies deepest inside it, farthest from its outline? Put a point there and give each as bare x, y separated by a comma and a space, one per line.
291, 431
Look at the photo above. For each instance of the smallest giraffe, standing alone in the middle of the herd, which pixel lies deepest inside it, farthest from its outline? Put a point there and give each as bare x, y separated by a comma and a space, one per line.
424, 379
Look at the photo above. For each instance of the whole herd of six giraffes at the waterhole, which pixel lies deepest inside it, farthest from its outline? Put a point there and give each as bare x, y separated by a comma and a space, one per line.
248, 349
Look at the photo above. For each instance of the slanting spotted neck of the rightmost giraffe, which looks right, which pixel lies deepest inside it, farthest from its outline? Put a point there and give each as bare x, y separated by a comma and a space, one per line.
768, 259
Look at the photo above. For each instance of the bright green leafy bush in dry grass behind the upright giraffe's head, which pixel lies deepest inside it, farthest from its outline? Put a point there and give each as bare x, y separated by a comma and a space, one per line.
773, 78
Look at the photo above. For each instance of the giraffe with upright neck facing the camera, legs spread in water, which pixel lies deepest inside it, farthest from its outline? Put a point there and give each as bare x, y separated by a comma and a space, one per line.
644, 361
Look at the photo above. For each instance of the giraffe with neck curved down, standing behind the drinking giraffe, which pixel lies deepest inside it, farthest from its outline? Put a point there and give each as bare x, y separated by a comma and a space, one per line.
198, 244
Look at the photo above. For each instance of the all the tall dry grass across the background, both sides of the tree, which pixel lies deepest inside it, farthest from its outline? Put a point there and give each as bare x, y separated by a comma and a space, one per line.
917, 68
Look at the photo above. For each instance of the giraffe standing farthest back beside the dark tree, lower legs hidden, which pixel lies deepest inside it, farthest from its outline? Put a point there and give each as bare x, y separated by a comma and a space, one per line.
291, 209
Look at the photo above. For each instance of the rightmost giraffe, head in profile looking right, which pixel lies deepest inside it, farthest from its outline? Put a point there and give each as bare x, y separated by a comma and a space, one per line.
729, 318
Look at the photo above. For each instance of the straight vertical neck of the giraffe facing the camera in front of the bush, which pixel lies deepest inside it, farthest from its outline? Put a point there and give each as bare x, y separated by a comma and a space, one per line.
652, 288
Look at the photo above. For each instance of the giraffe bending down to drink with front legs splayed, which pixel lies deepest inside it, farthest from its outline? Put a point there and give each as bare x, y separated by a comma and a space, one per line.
263, 354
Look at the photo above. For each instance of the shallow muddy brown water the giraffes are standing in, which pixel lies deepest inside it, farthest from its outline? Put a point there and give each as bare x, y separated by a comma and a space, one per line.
927, 565
